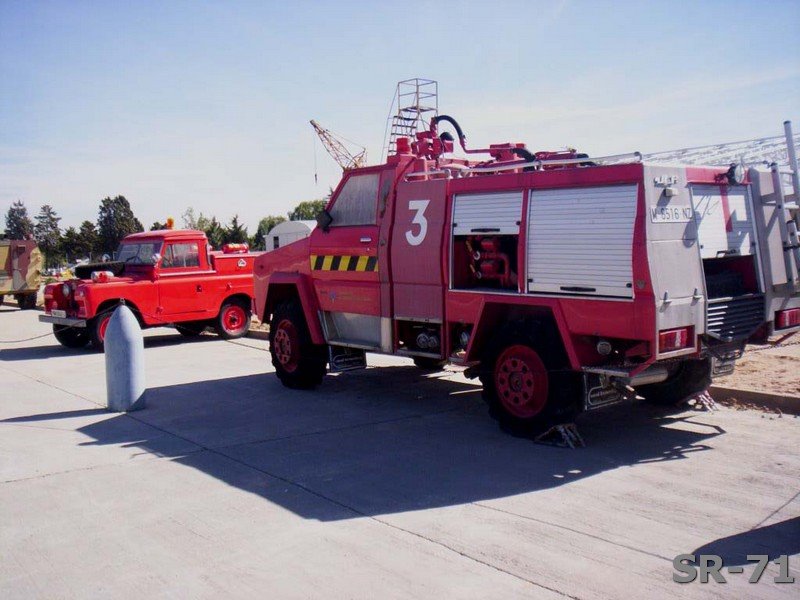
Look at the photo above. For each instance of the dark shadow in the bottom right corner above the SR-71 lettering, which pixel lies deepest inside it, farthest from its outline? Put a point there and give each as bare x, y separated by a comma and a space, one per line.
773, 540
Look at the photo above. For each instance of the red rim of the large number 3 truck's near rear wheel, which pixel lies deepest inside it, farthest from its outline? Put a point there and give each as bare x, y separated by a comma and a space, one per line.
520, 378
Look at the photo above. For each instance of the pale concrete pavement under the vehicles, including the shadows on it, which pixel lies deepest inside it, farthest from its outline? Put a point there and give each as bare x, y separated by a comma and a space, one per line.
384, 483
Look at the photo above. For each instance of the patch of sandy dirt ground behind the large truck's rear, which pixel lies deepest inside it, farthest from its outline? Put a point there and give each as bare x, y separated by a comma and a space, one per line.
772, 370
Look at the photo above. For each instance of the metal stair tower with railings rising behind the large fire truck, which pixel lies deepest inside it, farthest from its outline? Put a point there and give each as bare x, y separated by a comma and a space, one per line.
417, 100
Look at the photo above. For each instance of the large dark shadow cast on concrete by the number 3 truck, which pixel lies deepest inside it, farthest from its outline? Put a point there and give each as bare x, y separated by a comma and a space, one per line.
385, 440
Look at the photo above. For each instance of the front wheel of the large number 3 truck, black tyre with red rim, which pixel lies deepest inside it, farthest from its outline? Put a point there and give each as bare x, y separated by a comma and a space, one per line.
299, 363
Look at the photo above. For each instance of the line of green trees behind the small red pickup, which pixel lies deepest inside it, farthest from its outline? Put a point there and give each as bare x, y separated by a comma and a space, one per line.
115, 220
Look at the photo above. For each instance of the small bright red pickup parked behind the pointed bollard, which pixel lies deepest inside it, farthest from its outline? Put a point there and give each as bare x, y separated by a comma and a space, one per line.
166, 277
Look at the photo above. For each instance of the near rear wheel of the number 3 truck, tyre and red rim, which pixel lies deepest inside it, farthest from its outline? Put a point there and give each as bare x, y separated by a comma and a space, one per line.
526, 384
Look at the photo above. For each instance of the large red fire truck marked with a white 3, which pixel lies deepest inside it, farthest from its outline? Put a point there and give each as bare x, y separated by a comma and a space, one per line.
565, 283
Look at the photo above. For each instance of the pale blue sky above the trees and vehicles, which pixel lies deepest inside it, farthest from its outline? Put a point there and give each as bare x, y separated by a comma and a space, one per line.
206, 104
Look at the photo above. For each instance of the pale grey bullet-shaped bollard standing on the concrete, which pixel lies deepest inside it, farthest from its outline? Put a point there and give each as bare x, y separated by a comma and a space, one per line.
124, 346
